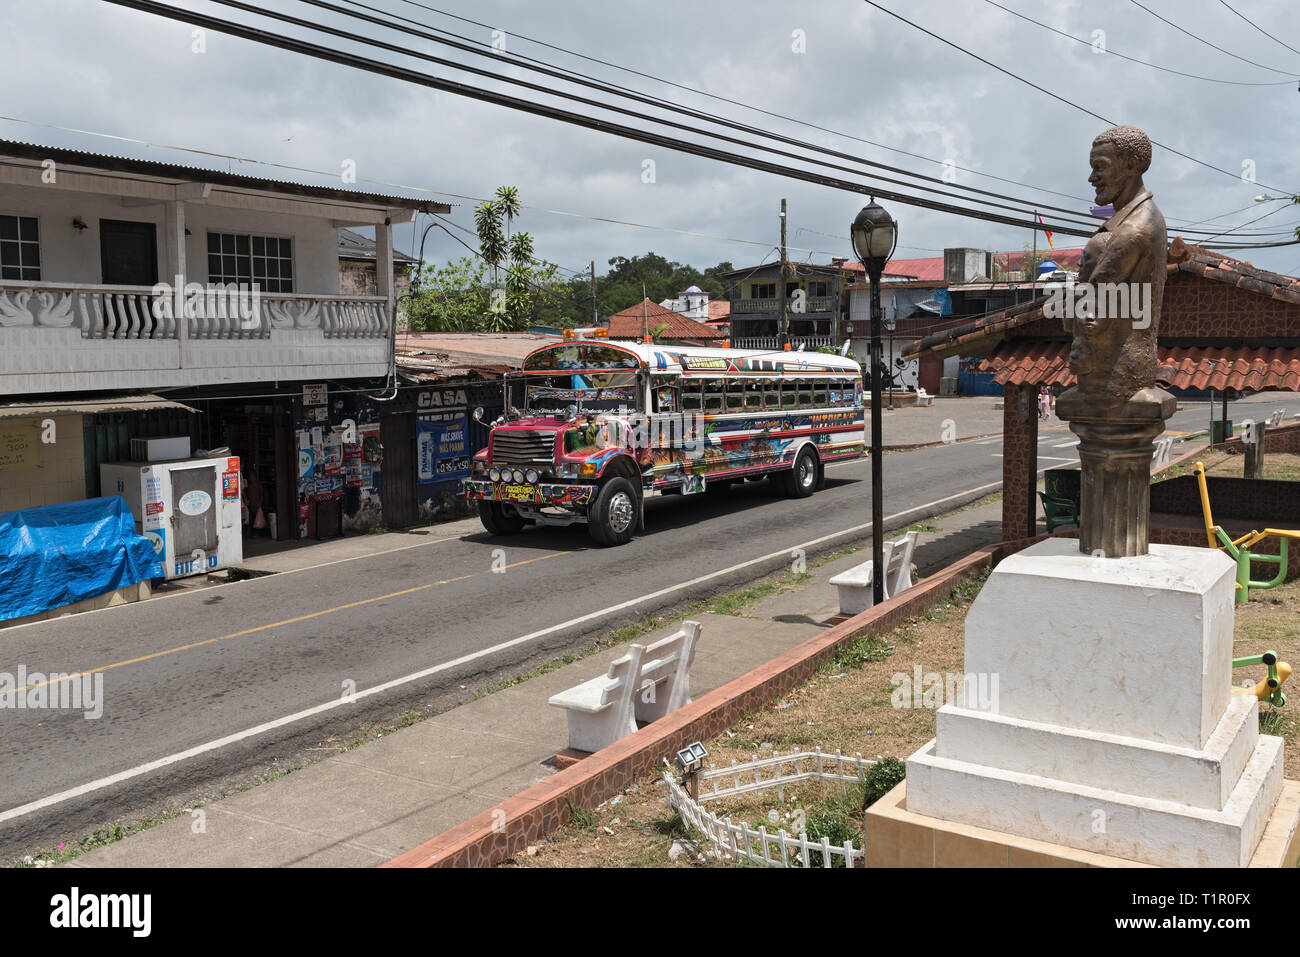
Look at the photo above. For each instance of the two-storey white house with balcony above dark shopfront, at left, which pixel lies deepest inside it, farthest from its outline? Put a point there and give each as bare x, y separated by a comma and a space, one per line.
142, 298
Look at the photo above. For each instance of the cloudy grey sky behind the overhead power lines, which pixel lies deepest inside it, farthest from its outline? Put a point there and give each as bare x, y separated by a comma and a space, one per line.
839, 64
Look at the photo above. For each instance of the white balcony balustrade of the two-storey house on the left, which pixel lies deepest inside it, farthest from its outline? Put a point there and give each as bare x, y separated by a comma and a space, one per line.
59, 337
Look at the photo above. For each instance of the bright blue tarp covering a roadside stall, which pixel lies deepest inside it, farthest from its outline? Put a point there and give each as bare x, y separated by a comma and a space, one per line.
59, 555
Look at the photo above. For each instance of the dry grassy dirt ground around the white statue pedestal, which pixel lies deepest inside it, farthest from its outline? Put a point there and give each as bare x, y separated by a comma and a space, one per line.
848, 707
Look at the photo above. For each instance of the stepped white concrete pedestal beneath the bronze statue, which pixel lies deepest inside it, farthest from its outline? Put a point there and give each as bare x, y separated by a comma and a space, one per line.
1115, 729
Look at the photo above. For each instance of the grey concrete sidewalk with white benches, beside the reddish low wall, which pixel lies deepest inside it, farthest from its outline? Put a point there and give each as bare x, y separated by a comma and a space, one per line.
365, 807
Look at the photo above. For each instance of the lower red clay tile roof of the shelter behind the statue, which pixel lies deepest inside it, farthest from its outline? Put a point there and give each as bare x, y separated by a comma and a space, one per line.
1245, 369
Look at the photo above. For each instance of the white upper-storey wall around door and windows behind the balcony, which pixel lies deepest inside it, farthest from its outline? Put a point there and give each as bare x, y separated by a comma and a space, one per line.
72, 256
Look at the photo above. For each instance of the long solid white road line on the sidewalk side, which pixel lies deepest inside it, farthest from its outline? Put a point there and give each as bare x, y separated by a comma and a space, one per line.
398, 682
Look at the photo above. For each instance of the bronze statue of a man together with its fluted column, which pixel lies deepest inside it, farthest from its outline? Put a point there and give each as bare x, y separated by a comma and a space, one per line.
1116, 409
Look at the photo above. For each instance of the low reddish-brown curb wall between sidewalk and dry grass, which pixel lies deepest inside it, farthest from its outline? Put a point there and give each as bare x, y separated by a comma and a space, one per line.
508, 830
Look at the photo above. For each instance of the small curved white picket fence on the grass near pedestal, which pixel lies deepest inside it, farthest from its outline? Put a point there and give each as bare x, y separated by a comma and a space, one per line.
759, 847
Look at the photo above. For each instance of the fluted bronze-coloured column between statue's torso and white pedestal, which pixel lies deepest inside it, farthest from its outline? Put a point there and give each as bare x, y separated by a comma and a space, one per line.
1116, 445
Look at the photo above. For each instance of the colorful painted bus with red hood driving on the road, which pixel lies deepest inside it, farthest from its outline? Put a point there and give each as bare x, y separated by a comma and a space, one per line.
605, 425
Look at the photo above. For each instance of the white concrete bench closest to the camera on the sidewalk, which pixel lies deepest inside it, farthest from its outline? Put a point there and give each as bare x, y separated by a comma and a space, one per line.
645, 685
